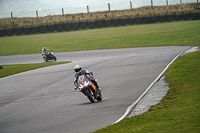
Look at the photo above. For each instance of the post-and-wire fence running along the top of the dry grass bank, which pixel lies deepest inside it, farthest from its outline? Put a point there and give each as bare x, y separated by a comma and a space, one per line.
93, 8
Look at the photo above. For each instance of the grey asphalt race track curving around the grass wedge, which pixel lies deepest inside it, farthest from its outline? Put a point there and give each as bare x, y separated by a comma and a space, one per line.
44, 101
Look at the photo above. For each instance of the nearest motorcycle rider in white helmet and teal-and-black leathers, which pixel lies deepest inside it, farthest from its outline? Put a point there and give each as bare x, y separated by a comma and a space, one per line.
80, 71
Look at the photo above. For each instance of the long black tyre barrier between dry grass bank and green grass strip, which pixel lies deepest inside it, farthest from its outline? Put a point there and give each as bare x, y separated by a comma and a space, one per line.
98, 24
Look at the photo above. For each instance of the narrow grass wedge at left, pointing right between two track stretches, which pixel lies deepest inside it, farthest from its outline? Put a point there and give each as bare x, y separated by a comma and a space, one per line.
18, 68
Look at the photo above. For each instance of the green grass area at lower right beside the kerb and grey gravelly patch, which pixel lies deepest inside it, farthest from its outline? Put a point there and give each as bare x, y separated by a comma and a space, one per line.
178, 112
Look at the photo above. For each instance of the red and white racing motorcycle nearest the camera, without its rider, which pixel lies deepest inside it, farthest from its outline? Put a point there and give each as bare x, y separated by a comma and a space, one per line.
88, 88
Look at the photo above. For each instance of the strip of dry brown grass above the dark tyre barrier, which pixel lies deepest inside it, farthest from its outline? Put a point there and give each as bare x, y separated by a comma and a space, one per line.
8, 23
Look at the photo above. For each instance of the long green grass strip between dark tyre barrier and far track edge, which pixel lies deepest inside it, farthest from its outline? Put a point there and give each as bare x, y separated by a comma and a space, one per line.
182, 33
